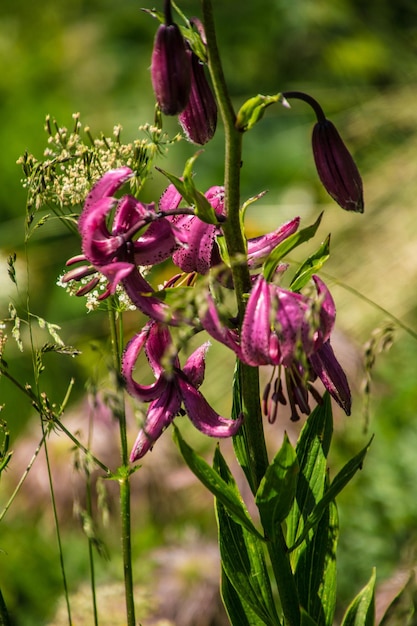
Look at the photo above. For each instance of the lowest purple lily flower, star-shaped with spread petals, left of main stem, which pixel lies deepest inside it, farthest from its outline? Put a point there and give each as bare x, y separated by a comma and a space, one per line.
173, 388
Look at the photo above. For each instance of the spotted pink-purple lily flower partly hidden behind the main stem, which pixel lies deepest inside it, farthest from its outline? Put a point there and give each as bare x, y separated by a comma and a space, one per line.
199, 250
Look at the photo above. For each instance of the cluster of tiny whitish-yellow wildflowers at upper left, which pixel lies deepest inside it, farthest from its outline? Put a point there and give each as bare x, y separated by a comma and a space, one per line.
75, 160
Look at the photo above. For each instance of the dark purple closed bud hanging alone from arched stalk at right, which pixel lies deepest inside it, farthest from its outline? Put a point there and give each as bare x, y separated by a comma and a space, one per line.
336, 168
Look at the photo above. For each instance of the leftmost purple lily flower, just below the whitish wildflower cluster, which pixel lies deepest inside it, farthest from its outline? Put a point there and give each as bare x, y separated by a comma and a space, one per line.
115, 253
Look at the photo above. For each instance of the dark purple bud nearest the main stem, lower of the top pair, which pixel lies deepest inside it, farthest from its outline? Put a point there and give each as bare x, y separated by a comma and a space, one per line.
199, 118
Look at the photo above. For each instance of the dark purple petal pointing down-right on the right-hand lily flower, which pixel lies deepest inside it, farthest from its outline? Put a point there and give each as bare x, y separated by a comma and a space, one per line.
329, 370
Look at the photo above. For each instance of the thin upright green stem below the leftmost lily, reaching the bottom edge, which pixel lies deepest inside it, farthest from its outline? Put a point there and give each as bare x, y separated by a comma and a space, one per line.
124, 481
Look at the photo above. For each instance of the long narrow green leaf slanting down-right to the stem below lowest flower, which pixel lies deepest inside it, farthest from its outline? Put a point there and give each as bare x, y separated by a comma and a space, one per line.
224, 492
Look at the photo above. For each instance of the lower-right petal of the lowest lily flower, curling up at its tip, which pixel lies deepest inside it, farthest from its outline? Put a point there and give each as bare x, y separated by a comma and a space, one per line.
203, 416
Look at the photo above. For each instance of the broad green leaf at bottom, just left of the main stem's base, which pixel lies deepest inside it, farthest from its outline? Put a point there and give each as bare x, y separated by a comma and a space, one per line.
243, 562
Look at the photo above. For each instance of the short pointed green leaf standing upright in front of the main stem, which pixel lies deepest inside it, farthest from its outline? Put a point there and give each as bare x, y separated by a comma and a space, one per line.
276, 492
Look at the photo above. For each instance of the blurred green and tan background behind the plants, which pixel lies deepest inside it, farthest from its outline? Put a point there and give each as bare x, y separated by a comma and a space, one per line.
89, 56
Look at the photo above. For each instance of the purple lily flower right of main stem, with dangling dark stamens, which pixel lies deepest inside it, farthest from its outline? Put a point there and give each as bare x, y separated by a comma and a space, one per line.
283, 328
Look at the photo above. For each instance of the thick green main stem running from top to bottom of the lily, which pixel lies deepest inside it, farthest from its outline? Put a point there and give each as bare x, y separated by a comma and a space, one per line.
256, 458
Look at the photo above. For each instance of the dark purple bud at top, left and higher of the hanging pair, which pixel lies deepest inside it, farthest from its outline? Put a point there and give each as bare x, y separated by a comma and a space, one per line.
170, 70
